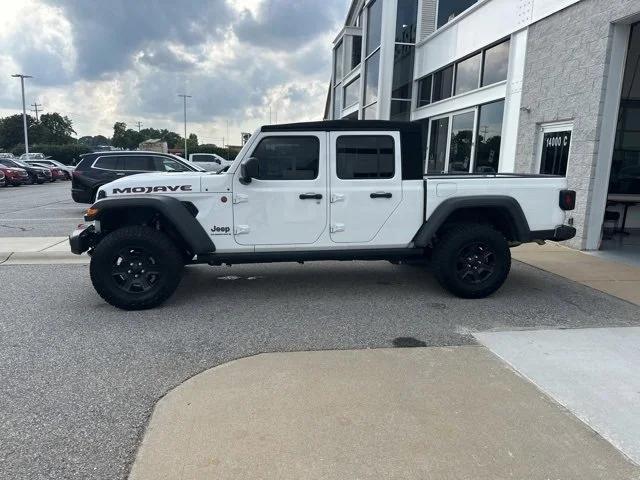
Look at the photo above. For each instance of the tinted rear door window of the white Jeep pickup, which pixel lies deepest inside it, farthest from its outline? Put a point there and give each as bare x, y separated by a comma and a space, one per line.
365, 157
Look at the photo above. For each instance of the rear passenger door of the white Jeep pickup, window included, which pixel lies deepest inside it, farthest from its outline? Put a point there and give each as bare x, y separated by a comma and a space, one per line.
366, 183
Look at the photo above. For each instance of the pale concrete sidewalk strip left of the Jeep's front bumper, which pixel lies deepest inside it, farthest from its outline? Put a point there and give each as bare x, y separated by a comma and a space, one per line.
38, 251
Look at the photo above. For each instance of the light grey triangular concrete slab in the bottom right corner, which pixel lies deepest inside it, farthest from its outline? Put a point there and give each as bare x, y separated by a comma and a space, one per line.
591, 371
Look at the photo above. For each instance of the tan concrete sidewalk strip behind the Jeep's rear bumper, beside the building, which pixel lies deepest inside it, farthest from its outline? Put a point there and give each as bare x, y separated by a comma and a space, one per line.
617, 279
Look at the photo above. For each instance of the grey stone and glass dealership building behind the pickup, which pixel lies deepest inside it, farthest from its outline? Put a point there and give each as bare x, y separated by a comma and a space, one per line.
525, 86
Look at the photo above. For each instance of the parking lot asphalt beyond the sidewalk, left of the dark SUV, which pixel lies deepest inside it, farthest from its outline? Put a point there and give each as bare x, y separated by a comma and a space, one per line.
39, 210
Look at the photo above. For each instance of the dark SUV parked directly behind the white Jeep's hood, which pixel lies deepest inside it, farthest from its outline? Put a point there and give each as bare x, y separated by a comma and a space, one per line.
98, 168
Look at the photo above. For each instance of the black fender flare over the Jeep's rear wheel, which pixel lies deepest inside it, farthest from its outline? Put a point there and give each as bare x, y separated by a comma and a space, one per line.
507, 204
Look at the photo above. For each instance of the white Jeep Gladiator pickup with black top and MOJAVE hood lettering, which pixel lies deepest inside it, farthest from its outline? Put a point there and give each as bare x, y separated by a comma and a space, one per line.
333, 190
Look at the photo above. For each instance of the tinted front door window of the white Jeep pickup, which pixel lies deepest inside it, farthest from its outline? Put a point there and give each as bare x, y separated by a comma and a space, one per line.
288, 158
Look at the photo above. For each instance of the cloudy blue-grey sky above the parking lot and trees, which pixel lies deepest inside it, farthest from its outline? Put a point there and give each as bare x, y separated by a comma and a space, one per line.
102, 61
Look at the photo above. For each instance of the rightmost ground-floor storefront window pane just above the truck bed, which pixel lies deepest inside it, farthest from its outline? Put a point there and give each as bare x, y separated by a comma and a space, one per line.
489, 137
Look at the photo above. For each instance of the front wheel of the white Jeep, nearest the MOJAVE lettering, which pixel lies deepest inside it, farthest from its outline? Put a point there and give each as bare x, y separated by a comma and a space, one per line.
135, 268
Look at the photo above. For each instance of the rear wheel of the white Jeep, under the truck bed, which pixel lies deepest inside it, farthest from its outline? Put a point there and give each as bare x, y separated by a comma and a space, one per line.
472, 261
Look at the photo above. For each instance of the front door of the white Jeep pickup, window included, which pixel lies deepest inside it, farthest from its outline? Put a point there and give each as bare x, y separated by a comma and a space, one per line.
287, 203
